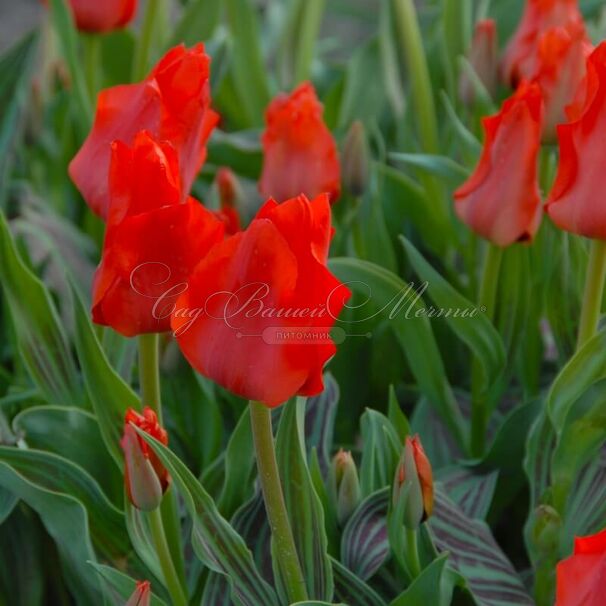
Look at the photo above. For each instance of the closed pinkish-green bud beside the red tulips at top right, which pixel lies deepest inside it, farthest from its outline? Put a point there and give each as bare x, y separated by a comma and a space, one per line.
483, 58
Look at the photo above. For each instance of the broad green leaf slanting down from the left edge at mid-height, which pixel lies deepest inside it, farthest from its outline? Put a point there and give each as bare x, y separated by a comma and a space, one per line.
40, 337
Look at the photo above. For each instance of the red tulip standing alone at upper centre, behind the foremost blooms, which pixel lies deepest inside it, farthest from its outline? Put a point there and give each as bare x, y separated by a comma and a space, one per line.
300, 152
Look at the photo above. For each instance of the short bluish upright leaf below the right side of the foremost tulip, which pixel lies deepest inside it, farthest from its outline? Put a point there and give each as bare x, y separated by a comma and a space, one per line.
320, 414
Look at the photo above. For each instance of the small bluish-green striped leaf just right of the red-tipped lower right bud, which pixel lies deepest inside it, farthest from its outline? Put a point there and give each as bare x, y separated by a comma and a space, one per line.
470, 491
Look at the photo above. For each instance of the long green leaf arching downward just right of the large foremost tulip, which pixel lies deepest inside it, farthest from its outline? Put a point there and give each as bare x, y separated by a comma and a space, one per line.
388, 292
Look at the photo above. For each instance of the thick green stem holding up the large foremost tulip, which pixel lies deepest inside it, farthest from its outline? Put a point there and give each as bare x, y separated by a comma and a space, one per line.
267, 468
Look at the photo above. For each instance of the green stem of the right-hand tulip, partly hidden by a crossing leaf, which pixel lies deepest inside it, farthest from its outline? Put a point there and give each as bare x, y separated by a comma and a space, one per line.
486, 299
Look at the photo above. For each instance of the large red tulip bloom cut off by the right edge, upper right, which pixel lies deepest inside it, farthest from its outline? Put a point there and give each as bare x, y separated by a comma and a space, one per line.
575, 202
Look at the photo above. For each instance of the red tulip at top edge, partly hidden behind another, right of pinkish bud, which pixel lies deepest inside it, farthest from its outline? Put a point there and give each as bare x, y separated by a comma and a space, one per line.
519, 60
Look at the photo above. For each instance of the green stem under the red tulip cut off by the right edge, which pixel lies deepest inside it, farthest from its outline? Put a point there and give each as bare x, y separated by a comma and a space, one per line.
594, 290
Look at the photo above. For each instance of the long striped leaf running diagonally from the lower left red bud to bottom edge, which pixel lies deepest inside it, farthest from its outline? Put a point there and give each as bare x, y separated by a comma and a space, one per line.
215, 542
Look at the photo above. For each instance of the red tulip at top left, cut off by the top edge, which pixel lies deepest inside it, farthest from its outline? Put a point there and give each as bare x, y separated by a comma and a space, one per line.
98, 17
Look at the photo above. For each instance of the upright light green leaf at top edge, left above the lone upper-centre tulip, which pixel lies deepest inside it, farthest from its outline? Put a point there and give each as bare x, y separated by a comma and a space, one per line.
250, 74
